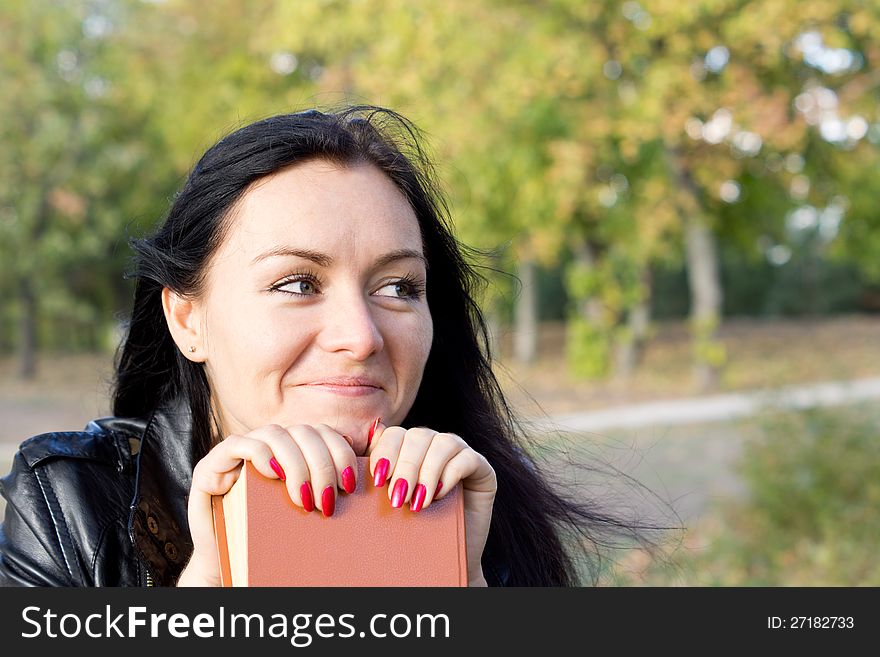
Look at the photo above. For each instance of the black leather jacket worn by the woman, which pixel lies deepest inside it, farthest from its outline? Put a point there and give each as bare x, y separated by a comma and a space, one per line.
105, 506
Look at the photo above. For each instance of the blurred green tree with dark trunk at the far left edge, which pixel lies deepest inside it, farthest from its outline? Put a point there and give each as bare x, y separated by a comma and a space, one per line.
50, 161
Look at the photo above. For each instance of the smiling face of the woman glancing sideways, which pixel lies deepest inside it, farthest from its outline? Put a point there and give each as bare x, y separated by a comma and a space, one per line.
314, 309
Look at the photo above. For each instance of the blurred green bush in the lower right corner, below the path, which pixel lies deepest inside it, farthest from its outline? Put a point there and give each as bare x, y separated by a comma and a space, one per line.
810, 515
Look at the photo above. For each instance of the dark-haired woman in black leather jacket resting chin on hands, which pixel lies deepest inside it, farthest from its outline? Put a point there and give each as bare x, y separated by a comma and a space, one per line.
303, 303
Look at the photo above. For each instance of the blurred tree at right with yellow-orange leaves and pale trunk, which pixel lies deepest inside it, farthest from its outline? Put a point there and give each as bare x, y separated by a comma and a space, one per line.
705, 102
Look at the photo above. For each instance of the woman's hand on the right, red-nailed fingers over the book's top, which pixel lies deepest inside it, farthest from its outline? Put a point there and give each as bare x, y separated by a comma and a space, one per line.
414, 461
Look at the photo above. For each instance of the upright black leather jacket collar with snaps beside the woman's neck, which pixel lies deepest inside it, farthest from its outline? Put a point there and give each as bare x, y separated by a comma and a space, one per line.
158, 523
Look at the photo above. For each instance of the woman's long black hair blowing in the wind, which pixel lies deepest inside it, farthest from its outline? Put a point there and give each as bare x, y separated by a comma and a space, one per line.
459, 392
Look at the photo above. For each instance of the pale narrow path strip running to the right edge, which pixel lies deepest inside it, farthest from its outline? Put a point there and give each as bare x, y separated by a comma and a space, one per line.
718, 408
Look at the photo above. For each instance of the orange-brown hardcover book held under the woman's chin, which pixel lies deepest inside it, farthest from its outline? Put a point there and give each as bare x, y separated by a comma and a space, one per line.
264, 539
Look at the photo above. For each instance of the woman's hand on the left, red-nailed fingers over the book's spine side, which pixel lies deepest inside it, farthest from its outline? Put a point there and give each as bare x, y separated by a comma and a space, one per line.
313, 461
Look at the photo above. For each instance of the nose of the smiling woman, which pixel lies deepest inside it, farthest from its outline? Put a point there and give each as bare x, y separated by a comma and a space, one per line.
350, 325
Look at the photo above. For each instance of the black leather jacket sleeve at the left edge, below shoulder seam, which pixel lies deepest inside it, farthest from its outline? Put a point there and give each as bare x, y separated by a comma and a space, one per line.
31, 551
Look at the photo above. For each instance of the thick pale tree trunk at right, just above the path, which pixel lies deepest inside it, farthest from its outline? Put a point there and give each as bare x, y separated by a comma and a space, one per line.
706, 296
